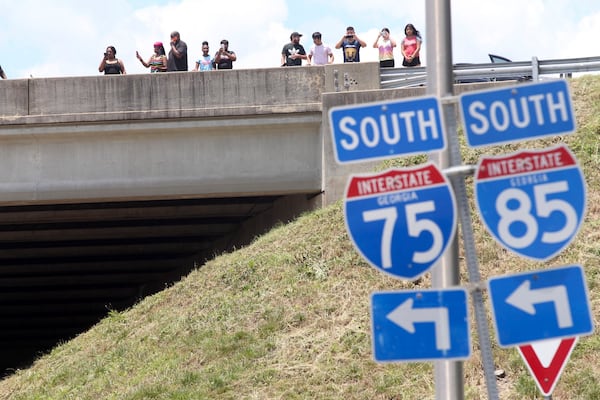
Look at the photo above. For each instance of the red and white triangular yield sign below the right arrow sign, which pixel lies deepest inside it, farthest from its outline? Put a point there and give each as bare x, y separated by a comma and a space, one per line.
546, 360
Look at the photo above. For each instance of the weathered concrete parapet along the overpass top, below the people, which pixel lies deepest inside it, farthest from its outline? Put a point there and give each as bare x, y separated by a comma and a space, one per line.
178, 95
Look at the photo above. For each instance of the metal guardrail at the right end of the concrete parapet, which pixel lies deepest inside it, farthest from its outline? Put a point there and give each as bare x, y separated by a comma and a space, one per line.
489, 72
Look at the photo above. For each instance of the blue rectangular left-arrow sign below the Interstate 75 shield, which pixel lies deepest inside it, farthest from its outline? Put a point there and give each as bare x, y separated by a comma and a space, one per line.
420, 325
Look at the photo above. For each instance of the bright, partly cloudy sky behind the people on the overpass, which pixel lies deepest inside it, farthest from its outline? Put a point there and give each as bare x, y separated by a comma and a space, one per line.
58, 38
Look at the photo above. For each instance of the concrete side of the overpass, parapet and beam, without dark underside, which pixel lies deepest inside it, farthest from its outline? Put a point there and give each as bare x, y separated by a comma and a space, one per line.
221, 132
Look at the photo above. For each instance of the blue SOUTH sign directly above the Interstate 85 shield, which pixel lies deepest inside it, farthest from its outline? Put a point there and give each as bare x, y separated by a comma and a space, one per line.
517, 113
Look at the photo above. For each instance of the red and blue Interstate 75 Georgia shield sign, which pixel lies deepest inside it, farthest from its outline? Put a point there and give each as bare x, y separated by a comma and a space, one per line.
401, 220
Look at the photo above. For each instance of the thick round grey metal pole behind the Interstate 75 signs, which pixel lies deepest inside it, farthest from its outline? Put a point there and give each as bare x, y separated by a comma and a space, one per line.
448, 375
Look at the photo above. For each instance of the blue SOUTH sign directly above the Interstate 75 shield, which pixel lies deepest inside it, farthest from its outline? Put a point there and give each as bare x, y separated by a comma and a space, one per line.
386, 129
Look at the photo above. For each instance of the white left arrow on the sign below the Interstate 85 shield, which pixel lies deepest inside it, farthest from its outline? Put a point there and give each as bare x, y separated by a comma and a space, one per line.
524, 298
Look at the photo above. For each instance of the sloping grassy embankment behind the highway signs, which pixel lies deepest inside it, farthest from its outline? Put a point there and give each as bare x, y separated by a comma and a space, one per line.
287, 317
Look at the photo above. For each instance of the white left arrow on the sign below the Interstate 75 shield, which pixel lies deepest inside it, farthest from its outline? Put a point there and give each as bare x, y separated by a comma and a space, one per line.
405, 317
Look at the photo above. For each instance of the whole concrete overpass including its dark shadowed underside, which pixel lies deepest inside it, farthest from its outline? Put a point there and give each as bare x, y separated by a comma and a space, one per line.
112, 187
